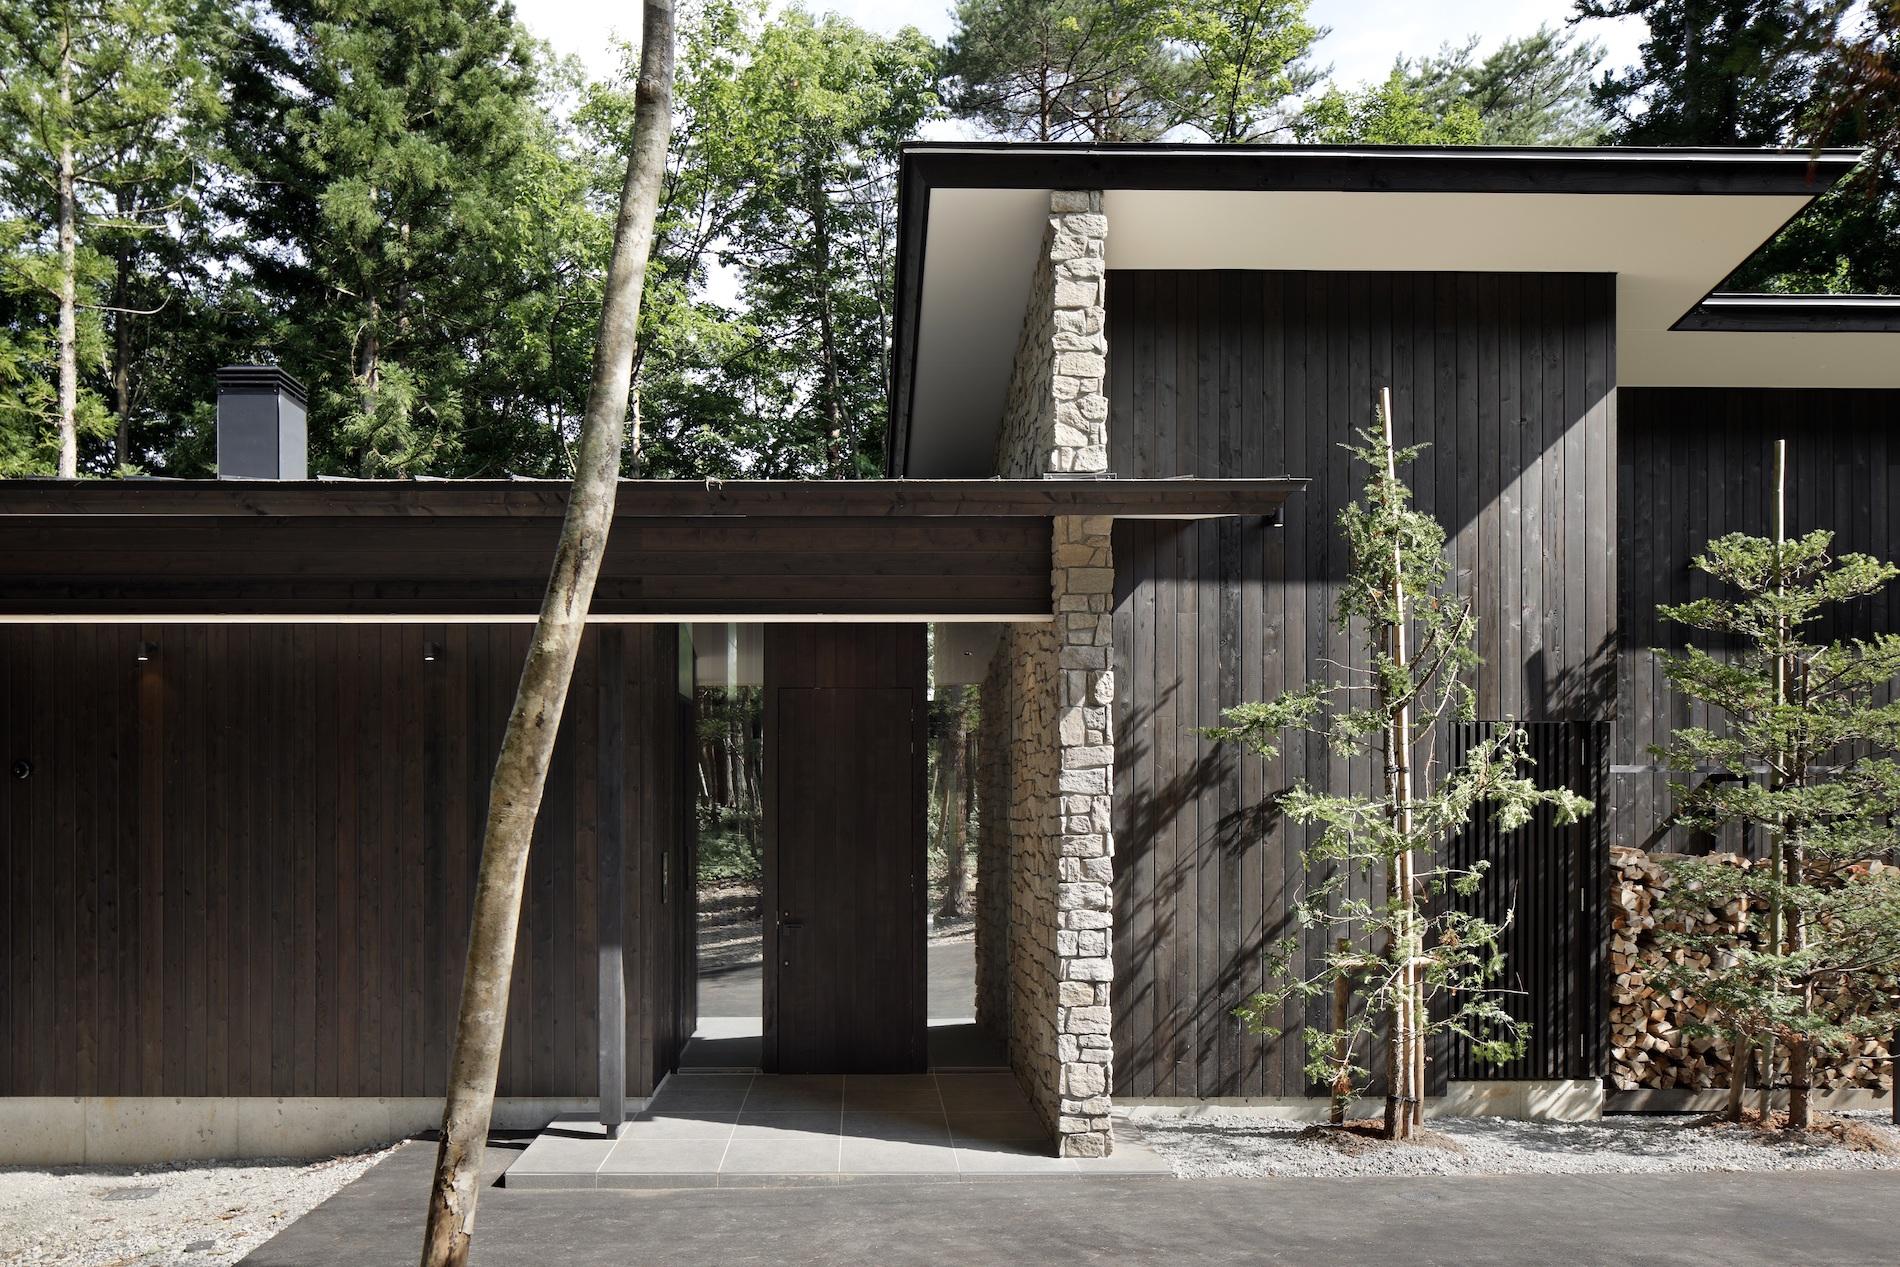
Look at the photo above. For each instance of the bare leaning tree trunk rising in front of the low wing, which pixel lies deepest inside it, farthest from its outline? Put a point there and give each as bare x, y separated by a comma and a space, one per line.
529, 744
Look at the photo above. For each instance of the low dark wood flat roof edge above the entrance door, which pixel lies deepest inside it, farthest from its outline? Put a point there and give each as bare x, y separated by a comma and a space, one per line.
480, 550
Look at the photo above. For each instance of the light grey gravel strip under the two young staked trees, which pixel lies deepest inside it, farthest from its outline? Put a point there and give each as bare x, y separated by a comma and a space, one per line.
1230, 1143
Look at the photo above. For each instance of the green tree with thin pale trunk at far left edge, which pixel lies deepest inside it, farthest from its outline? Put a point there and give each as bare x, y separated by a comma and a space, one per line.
104, 111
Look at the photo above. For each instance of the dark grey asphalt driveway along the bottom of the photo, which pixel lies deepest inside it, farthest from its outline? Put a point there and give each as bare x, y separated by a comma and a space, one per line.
1686, 1220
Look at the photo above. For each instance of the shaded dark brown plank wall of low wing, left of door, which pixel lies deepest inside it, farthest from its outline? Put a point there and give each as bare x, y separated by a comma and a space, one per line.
244, 867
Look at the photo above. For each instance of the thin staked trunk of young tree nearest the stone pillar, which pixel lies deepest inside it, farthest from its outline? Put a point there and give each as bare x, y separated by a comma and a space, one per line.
1405, 1059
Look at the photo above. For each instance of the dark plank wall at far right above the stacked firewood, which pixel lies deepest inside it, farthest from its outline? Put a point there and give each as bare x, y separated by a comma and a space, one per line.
1696, 464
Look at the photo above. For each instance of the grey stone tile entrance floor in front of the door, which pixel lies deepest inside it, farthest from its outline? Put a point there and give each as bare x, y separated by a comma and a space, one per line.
763, 1131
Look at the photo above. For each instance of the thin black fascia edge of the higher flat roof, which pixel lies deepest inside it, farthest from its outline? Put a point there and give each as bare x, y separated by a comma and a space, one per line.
1373, 170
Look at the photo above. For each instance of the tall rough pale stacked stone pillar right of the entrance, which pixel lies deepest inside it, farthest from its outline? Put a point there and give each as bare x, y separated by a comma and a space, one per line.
1061, 689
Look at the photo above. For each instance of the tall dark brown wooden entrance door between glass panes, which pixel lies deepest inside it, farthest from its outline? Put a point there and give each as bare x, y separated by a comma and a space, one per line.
846, 863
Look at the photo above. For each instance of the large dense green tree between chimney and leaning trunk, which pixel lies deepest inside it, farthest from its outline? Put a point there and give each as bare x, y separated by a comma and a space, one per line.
402, 189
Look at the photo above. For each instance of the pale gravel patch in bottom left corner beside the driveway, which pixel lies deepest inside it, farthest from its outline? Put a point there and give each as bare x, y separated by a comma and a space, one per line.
189, 1215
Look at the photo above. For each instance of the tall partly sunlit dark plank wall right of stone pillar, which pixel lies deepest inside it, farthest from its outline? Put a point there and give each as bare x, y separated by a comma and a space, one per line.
1268, 373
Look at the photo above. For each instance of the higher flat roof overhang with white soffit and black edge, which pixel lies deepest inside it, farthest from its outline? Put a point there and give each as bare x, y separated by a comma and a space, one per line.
1671, 225
